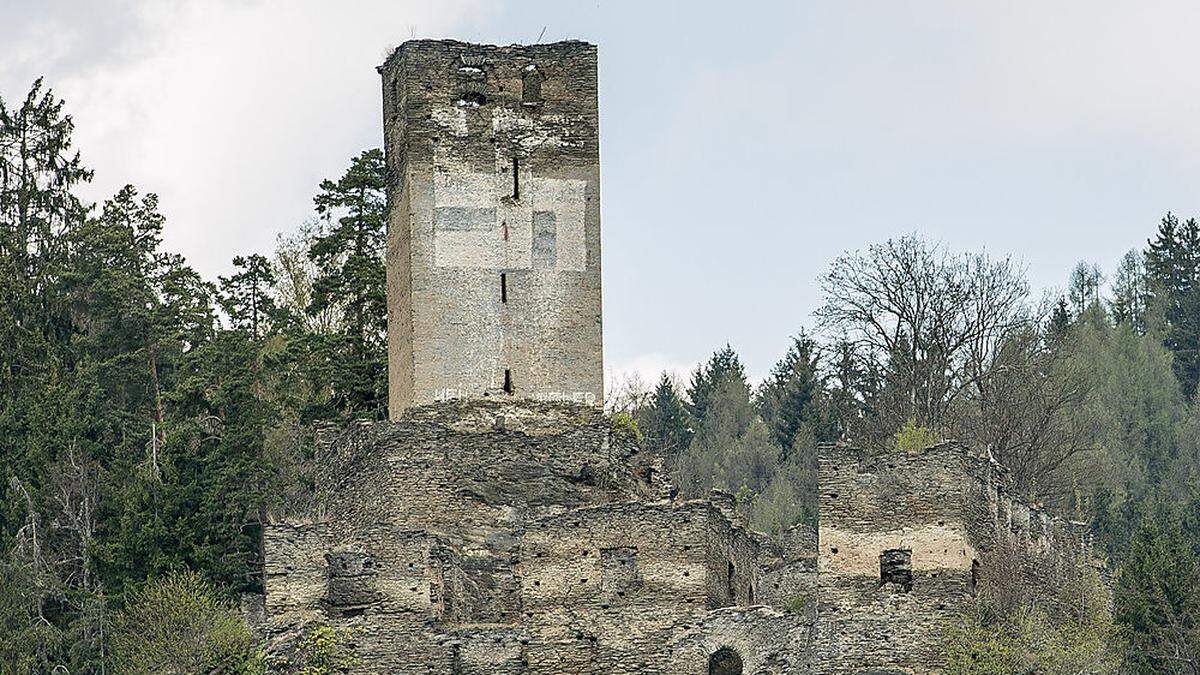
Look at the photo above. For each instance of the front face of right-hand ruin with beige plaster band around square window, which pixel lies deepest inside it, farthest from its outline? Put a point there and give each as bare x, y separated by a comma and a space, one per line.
871, 505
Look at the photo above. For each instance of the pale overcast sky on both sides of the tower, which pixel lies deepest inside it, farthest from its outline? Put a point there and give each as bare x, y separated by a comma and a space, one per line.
745, 145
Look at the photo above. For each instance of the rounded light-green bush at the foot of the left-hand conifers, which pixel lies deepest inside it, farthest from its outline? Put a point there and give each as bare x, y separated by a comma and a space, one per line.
177, 624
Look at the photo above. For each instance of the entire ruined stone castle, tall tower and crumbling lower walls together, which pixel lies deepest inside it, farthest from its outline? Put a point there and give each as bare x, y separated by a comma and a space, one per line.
501, 523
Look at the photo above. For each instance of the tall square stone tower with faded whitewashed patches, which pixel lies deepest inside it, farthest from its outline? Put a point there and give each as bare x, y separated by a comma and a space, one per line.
494, 246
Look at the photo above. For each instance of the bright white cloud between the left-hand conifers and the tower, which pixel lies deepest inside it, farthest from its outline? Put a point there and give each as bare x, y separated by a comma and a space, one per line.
232, 112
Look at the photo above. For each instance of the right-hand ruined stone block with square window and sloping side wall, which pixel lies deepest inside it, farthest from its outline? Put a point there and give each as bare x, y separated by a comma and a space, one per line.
903, 543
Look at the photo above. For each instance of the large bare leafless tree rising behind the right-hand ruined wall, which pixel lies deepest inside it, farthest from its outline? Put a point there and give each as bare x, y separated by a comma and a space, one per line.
929, 321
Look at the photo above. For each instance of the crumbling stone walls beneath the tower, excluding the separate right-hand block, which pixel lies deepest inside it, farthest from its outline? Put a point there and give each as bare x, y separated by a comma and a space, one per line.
517, 536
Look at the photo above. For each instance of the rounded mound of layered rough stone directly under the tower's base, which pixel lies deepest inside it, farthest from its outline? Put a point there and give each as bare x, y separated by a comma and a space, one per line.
470, 470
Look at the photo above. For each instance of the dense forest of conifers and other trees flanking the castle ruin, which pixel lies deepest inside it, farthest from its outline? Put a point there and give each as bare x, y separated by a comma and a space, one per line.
151, 420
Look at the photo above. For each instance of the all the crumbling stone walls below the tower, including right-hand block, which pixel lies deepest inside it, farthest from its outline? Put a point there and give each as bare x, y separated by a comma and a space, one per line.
512, 536
